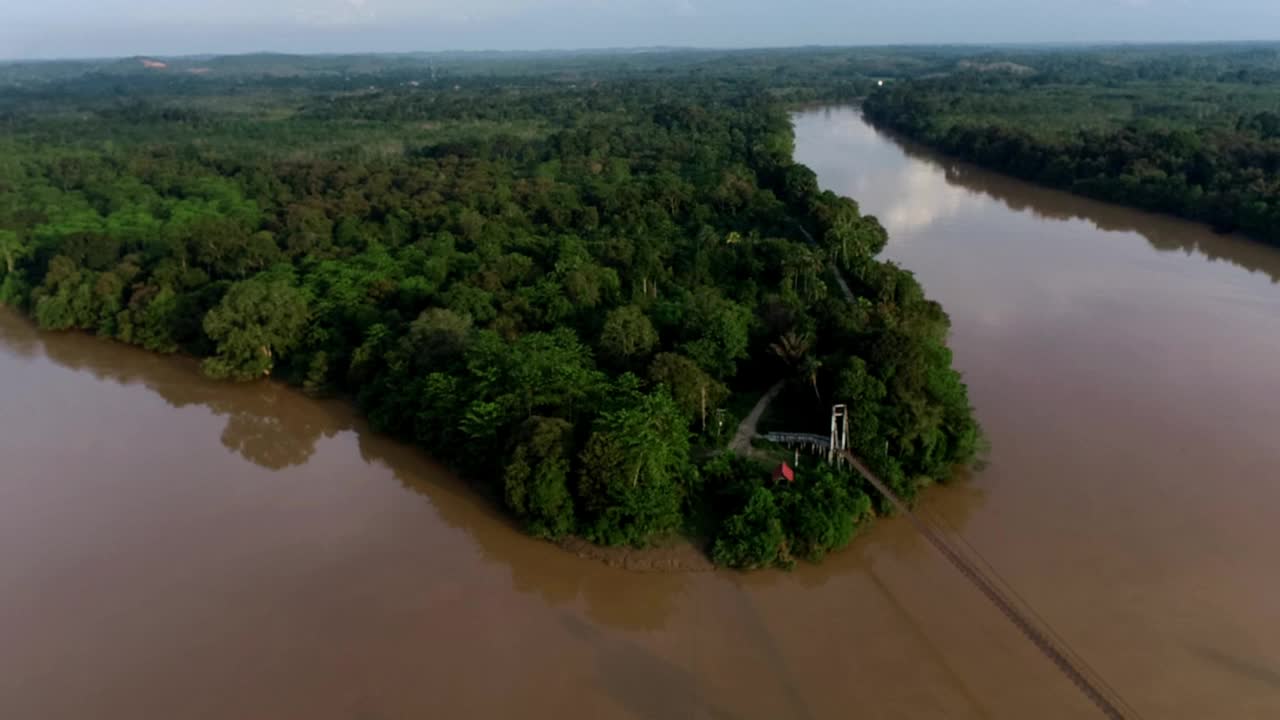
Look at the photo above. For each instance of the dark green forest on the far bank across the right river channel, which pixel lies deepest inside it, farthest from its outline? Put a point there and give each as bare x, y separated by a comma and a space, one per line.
1190, 131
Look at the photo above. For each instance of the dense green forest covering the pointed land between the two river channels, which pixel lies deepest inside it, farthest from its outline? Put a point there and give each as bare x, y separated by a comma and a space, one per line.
563, 276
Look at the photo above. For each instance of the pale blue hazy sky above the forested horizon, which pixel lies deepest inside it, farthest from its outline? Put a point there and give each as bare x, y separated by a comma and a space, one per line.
53, 29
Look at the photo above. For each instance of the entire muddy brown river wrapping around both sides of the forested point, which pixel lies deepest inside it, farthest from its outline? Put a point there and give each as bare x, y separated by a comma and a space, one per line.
173, 548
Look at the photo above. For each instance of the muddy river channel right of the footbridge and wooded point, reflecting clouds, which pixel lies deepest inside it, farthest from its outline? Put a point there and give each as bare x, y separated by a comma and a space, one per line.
1124, 366
